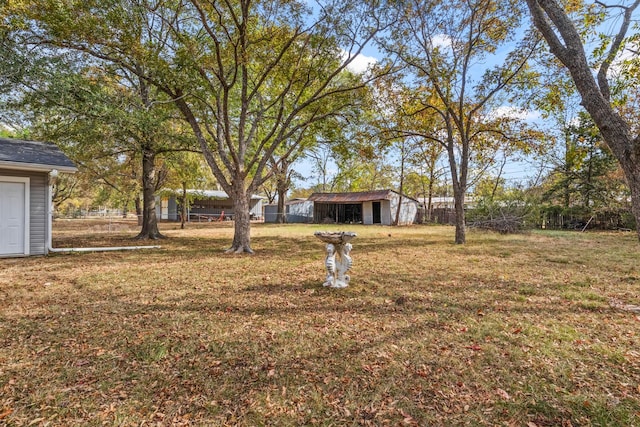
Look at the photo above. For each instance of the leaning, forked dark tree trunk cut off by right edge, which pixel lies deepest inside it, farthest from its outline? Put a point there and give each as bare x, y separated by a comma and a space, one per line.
563, 36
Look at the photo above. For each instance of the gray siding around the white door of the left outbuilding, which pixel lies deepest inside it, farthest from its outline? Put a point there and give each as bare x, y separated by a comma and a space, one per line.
38, 208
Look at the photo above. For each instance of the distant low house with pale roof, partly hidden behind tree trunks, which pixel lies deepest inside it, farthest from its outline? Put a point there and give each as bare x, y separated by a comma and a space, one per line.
206, 205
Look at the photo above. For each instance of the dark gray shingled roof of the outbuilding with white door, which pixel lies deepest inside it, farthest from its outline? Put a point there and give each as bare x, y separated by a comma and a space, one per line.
31, 153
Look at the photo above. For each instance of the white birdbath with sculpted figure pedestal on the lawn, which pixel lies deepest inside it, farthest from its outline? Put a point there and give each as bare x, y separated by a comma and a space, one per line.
338, 260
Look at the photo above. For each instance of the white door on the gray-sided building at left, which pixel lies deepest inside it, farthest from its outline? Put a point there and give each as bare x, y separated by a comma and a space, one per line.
14, 222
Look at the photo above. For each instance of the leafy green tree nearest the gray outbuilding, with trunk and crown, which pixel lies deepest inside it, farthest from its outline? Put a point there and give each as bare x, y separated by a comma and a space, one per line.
95, 109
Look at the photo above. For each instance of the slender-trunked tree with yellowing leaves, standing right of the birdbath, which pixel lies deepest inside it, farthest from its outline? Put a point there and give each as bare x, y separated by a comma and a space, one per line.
445, 46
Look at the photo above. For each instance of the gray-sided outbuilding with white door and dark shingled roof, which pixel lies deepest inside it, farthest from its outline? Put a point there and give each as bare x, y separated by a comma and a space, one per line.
27, 171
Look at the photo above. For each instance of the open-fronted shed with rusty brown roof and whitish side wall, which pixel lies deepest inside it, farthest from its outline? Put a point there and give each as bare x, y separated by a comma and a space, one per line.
367, 207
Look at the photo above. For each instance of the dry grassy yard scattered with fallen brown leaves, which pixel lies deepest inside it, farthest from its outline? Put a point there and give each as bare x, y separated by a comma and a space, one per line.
505, 330
